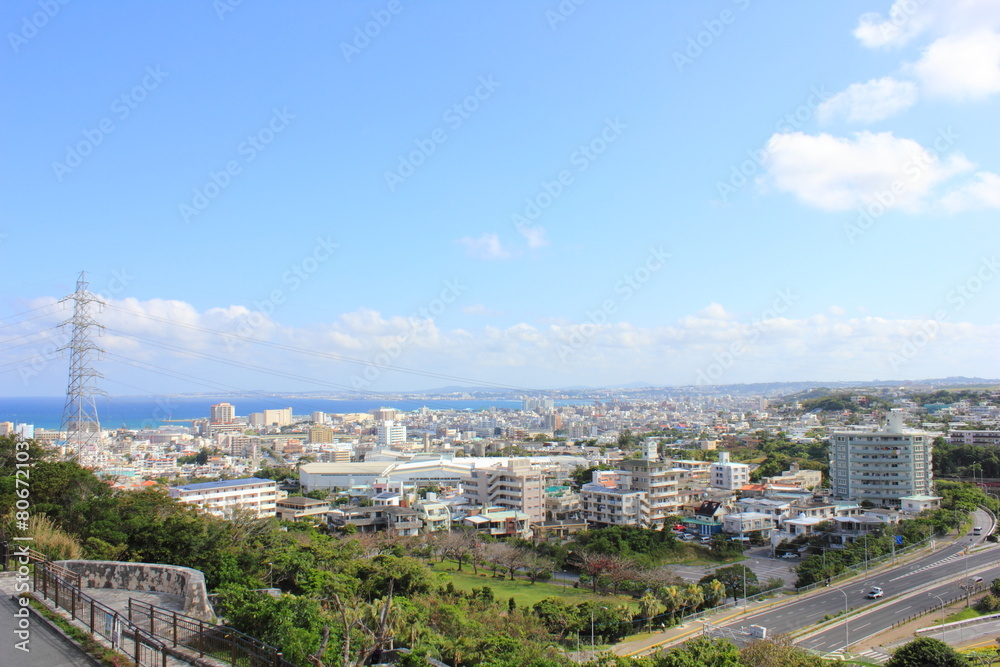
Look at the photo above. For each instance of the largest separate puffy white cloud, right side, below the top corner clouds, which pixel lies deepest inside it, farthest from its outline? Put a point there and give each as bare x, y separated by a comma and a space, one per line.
838, 174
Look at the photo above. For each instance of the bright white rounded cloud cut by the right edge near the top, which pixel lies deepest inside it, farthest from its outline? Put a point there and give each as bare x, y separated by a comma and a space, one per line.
961, 66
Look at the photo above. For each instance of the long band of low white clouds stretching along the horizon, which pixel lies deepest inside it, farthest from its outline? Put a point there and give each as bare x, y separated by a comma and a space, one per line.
817, 347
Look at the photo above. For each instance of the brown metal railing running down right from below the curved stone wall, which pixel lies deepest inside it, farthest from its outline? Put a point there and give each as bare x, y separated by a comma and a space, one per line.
218, 641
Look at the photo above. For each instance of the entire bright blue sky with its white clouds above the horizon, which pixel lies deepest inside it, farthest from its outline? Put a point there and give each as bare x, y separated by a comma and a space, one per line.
525, 194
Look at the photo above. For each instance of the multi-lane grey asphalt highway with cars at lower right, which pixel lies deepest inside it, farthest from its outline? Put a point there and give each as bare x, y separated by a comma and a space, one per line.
936, 572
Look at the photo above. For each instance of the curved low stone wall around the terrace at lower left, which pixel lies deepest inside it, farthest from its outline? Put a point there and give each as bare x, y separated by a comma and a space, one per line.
182, 581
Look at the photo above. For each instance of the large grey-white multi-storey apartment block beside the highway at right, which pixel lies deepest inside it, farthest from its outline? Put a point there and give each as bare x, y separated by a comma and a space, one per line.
881, 466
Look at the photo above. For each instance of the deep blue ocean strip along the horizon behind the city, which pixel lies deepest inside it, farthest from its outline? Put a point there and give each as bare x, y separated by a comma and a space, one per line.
152, 411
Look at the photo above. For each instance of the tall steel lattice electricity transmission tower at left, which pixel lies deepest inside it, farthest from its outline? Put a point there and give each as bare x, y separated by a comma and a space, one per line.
79, 422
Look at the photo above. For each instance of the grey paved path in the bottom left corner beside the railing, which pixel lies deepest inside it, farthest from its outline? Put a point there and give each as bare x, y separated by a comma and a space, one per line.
47, 647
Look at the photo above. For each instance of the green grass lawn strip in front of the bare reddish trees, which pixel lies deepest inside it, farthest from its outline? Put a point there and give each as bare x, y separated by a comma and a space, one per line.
524, 593
